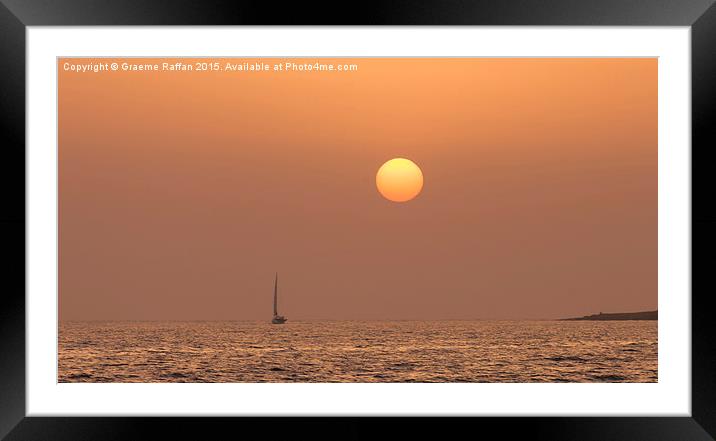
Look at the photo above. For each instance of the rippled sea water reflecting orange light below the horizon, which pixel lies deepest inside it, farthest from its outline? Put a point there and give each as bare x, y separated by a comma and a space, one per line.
358, 351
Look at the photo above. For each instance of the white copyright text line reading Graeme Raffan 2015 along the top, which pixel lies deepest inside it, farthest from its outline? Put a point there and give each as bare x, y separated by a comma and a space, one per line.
208, 66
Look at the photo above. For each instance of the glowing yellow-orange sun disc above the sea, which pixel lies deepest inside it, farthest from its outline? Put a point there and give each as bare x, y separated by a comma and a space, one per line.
399, 180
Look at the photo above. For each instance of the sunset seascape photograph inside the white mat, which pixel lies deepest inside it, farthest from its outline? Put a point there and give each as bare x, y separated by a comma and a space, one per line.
357, 220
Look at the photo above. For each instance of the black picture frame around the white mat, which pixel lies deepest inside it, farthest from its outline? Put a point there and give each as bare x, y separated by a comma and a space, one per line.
16, 15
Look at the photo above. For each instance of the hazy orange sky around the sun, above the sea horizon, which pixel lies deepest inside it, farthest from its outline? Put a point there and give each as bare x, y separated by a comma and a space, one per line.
181, 193
